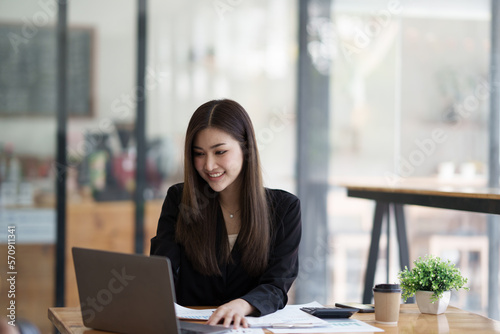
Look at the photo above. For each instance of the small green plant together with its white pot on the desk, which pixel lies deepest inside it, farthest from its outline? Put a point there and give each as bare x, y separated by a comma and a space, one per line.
431, 281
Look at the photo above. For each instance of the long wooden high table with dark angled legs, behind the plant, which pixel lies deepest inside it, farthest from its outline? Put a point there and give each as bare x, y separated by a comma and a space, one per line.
483, 200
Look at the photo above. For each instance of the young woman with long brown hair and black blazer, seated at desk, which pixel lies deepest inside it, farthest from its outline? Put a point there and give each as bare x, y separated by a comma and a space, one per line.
232, 243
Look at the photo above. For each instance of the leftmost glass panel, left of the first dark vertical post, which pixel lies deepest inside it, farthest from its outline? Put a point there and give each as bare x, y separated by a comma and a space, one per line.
27, 153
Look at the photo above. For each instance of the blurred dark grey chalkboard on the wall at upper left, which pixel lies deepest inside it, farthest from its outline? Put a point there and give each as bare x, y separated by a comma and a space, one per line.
28, 71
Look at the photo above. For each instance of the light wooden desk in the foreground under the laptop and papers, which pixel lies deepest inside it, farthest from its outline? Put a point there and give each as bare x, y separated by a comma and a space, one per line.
69, 321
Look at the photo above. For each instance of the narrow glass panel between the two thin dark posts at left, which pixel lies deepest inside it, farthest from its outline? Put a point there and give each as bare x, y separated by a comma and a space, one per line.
100, 144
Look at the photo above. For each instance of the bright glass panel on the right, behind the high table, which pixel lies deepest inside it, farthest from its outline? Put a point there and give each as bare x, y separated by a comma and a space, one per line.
410, 105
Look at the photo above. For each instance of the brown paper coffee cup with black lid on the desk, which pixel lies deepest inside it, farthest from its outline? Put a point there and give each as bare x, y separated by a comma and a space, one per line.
387, 301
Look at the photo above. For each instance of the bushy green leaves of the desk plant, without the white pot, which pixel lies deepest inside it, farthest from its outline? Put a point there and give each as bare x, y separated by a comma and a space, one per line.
431, 274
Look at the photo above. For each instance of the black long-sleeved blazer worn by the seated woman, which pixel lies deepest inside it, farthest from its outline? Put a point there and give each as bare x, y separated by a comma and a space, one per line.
266, 293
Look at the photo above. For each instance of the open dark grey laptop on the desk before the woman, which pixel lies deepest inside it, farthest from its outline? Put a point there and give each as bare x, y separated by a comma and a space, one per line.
129, 293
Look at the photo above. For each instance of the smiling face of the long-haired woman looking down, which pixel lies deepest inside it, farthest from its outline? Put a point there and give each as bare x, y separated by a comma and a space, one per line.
218, 158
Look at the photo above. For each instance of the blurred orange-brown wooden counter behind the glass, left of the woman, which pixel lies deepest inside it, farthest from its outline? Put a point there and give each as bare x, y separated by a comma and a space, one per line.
99, 225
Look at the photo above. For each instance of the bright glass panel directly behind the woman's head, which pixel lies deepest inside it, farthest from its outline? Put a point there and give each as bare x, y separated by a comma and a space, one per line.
243, 50
